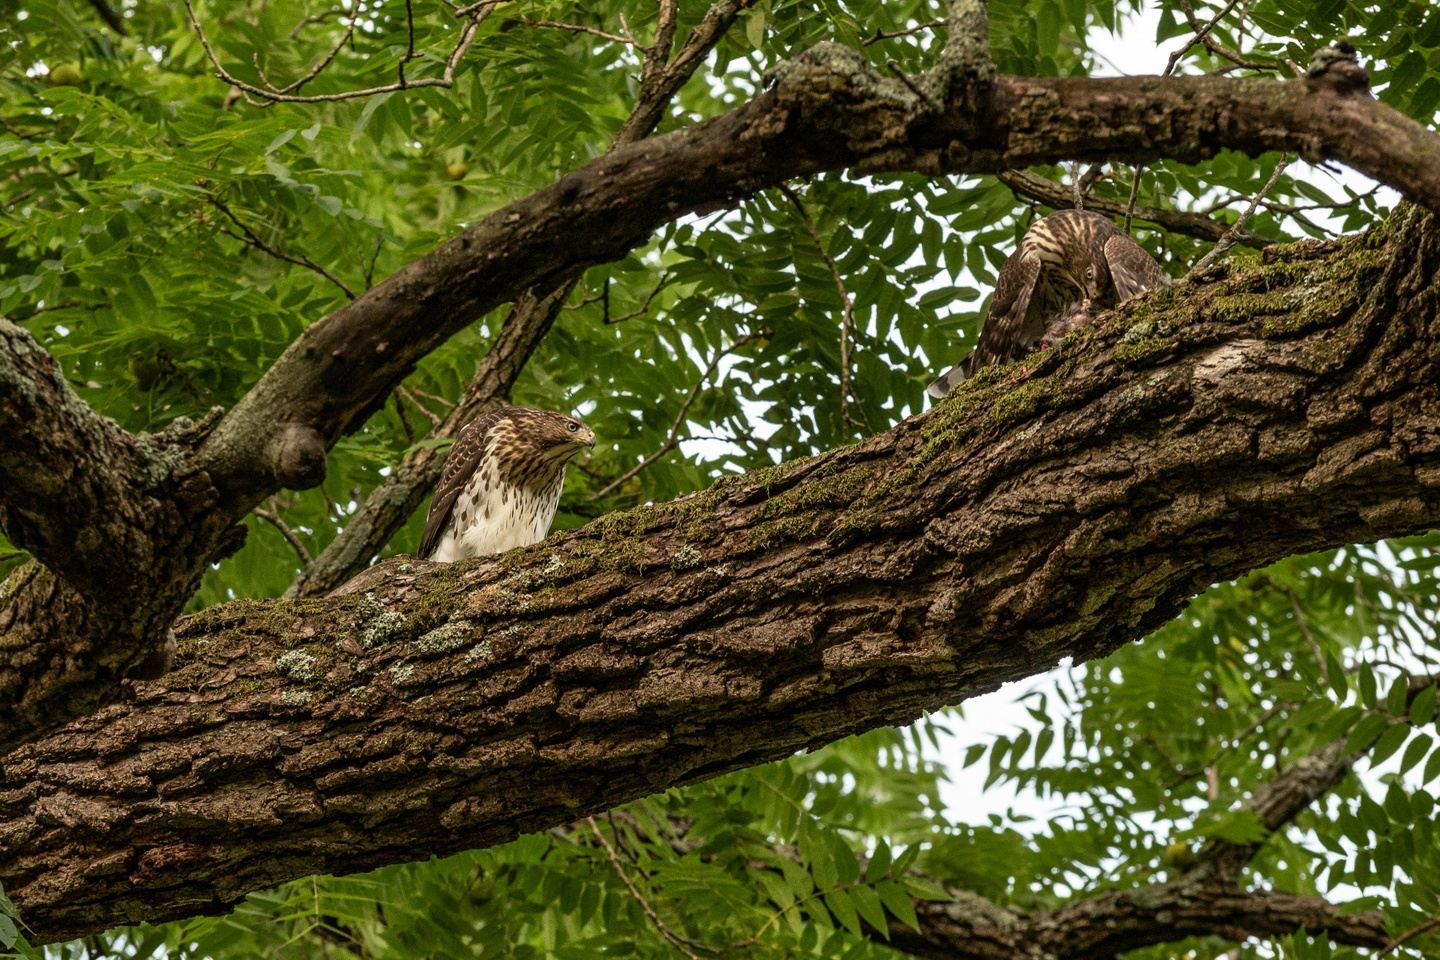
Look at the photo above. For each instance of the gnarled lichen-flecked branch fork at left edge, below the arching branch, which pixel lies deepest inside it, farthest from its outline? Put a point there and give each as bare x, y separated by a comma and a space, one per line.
110, 516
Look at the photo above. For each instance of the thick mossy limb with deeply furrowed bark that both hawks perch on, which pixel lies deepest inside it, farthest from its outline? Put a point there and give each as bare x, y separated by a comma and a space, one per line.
1052, 509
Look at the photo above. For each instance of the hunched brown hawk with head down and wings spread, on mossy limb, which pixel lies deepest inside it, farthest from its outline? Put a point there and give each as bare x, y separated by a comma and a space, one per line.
1068, 264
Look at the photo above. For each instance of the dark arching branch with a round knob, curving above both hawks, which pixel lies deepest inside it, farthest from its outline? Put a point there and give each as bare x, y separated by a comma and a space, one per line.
827, 110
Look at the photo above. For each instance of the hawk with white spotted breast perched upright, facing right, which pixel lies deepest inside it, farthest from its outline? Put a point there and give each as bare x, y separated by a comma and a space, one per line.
502, 483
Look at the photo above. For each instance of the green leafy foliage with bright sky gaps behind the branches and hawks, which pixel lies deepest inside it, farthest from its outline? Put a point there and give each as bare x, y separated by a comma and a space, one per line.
168, 243
